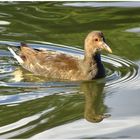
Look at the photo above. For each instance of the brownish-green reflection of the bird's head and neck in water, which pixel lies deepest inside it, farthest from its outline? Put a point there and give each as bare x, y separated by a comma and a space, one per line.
94, 101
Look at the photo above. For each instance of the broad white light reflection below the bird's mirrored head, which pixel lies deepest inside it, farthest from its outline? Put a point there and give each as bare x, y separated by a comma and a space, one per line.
83, 129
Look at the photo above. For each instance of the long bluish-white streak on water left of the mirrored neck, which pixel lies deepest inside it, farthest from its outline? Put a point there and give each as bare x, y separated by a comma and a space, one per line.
28, 96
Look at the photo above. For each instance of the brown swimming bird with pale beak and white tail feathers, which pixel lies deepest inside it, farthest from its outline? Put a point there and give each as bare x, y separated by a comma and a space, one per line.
56, 65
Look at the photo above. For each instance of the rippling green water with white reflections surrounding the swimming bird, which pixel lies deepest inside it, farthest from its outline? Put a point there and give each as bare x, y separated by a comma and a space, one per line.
31, 107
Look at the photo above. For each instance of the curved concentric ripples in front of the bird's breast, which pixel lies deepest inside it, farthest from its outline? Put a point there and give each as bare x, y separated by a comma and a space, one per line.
121, 70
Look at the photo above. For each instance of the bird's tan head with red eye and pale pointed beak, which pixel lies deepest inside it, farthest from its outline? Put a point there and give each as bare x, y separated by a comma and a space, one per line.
95, 42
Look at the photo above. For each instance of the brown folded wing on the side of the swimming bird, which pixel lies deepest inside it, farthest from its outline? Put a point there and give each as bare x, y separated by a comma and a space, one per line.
46, 61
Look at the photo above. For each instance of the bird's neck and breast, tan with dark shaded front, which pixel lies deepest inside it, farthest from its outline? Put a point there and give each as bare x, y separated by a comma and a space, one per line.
94, 65
